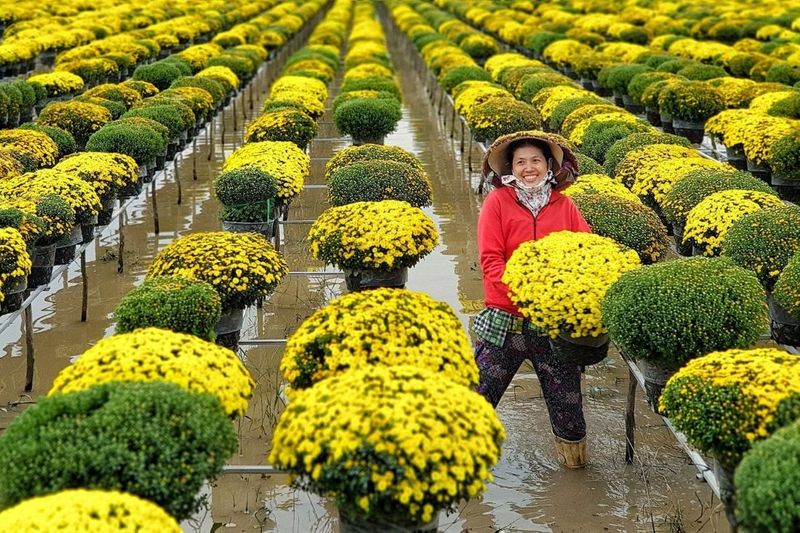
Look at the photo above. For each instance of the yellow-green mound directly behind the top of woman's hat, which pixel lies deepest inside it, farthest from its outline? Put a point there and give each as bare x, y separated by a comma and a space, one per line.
501, 116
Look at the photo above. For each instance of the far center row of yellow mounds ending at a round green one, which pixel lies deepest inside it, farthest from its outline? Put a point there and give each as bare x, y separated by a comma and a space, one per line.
367, 107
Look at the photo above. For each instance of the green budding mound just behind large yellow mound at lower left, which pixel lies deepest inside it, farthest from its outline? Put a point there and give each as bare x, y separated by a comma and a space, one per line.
173, 303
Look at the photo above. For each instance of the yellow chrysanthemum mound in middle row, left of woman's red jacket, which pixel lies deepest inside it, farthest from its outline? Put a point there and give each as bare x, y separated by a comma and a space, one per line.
389, 234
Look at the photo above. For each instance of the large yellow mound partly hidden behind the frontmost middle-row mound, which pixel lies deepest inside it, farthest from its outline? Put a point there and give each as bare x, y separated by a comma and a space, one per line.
383, 326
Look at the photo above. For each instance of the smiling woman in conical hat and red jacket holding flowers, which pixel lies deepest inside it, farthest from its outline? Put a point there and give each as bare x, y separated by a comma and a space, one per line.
529, 168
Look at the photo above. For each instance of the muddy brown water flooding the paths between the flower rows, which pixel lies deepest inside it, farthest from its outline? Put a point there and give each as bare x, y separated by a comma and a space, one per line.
530, 492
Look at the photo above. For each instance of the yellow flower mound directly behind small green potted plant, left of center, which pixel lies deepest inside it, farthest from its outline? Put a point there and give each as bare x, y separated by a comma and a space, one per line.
289, 165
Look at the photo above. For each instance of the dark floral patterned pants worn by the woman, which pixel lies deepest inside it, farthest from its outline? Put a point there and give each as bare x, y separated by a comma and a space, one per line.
561, 384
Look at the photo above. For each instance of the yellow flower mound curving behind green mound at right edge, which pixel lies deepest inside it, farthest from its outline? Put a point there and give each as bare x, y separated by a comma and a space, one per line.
708, 222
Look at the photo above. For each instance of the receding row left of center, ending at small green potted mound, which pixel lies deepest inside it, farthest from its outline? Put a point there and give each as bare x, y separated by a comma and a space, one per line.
254, 194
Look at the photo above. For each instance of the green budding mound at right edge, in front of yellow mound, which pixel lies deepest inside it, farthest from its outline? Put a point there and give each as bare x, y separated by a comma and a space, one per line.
764, 241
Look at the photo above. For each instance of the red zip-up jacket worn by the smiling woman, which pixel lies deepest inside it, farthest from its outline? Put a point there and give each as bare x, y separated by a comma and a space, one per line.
504, 223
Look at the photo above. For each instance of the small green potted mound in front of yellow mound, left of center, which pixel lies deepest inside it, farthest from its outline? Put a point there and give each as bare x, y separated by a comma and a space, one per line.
245, 192
